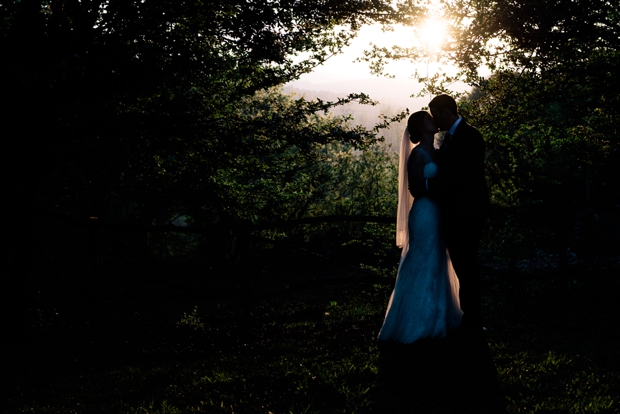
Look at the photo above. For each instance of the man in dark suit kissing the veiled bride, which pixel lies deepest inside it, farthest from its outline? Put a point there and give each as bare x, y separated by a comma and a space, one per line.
463, 200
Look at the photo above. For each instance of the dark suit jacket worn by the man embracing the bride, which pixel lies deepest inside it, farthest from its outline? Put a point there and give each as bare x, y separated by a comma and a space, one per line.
461, 186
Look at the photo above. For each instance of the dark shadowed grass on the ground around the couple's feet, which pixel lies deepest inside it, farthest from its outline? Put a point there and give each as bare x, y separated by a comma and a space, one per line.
550, 348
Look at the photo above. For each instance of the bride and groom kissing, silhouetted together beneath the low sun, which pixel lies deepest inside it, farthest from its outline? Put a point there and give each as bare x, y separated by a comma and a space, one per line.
442, 207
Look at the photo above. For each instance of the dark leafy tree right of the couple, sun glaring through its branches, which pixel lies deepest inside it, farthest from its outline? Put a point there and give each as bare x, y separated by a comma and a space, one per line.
553, 85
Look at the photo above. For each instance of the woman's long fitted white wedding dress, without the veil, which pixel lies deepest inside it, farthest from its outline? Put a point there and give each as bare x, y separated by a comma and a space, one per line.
424, 302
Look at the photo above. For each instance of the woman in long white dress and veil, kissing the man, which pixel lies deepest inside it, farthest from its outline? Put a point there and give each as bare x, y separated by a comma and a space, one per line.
425, 299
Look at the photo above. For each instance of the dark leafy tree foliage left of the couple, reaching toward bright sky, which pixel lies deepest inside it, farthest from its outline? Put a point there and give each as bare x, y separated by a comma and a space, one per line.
147, 112
